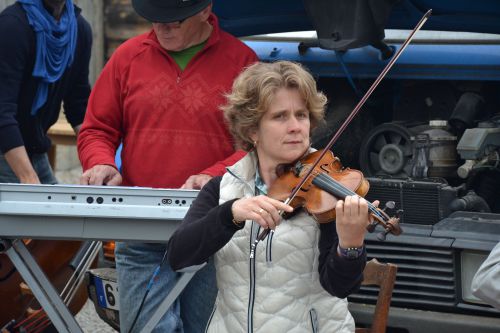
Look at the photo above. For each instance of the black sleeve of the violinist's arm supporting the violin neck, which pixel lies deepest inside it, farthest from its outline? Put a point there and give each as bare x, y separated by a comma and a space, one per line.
339, 276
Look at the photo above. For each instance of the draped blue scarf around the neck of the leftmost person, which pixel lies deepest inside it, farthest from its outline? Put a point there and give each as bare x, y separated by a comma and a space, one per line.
55, 45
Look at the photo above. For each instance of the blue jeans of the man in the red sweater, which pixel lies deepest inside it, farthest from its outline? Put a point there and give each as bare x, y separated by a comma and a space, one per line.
135, 264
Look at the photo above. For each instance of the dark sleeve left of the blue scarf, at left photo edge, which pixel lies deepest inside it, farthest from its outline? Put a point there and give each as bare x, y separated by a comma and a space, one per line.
15, 42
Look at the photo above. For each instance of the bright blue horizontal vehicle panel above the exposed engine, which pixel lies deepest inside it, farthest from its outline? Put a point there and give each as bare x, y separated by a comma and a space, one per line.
419, 61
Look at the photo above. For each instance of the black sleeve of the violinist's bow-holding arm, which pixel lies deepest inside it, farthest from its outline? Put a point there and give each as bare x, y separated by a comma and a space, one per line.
206, 228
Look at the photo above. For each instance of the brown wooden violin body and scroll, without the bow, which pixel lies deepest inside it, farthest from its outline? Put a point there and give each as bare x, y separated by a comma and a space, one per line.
328, 182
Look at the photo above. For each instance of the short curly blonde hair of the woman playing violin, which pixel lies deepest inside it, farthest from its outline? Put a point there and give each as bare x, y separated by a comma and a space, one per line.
253, 92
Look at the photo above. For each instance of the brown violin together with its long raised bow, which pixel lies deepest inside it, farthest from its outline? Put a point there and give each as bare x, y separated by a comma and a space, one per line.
321, 172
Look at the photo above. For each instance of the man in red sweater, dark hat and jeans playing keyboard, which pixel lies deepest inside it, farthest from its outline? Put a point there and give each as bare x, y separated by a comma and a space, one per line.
159, 95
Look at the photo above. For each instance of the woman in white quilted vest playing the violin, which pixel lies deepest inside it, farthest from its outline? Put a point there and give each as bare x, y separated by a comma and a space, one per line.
301, 273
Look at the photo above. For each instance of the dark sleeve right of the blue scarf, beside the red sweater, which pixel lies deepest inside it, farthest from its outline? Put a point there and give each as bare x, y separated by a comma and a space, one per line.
77, 95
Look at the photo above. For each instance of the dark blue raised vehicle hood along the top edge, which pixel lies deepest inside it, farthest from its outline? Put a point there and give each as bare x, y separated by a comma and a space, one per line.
246, 18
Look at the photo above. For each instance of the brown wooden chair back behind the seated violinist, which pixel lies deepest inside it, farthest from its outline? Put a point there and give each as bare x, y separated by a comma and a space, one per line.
384, 276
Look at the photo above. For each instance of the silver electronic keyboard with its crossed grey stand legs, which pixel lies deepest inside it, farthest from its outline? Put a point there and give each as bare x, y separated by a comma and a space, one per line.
87, 213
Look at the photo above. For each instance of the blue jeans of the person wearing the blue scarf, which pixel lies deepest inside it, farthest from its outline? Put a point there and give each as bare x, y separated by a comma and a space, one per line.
40, 163
